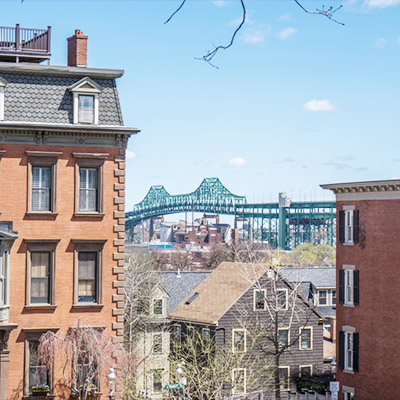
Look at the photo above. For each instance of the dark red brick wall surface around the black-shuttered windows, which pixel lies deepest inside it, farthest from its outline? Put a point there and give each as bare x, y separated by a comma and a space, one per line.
377, 257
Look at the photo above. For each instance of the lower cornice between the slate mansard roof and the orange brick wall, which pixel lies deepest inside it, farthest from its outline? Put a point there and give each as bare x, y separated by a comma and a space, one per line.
68, 128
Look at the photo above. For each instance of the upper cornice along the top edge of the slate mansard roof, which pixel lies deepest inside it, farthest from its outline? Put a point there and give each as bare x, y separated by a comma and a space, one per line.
28, 68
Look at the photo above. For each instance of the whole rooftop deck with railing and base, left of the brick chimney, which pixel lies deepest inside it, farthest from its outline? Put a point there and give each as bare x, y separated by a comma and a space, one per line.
24, 44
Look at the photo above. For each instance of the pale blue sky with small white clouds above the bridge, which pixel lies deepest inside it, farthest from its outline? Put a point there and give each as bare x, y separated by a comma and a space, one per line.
296, 102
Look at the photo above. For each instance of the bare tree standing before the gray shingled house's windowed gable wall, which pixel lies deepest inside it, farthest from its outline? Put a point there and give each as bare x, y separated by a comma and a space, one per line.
284, 308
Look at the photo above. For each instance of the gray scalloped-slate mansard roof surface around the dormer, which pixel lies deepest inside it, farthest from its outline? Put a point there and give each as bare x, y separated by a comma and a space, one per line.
45, 98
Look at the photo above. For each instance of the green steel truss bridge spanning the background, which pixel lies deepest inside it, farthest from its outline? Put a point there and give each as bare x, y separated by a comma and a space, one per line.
284, 224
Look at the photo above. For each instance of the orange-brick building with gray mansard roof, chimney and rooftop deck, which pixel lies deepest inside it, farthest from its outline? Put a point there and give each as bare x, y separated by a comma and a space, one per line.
62, 199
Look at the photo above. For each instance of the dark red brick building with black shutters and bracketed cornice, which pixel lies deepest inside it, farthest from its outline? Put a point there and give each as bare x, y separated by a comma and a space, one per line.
368, 275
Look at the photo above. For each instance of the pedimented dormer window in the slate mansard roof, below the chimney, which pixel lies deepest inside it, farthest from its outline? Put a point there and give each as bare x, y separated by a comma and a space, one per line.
86, 101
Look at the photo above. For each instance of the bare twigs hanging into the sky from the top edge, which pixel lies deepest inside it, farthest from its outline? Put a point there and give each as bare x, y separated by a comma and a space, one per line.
210, 54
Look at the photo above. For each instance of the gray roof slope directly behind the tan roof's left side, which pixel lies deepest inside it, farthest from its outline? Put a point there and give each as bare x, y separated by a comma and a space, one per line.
177, 287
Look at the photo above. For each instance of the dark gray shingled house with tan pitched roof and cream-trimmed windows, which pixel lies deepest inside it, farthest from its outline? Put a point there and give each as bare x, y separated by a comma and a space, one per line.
251, 310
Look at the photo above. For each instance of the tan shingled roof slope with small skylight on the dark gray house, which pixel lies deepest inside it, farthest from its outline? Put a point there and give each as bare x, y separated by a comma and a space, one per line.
218, 292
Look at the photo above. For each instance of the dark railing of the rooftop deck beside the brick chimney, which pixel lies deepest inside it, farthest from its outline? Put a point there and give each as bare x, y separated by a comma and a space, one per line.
25, 40
